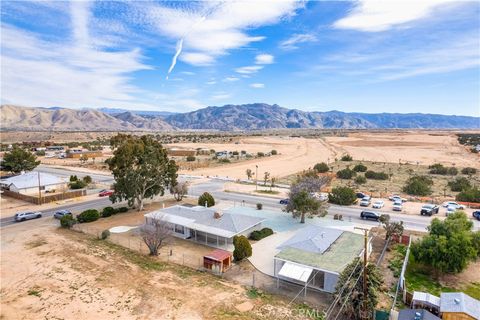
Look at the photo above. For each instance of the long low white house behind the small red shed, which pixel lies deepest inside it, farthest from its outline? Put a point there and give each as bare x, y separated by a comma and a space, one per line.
206, 225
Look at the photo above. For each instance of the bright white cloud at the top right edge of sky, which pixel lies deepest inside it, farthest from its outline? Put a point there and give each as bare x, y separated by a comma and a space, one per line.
374, 15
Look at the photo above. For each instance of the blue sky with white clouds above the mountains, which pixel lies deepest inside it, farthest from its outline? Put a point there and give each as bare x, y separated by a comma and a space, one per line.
179, 56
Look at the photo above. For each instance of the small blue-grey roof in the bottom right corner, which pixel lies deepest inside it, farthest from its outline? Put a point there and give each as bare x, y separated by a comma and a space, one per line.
461, 303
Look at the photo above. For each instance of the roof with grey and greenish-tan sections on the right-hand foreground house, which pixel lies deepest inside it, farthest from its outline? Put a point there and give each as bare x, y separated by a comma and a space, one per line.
332, 253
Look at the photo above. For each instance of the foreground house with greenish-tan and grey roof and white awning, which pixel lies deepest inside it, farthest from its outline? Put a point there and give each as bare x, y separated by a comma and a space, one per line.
315, 256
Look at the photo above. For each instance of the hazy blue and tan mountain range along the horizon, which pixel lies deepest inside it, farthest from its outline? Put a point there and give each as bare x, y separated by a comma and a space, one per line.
256, 116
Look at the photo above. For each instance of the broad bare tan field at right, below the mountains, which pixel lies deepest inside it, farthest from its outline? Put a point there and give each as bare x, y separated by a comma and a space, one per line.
423, 147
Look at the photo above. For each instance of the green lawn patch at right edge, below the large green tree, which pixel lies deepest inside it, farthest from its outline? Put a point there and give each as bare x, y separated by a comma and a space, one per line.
419, 278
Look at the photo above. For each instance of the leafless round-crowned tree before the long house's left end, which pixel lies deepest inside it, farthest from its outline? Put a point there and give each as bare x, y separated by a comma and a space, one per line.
155, 233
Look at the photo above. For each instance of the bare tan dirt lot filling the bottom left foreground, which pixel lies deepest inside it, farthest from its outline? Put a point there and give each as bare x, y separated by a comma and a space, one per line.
59, 274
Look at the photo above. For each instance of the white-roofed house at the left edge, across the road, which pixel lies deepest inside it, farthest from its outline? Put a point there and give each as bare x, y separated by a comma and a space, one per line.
29, 183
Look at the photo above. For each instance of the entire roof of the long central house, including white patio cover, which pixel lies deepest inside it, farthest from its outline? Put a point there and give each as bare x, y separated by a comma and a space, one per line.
203, 219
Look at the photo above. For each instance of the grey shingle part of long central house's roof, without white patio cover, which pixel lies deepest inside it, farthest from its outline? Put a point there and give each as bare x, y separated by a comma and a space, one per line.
231, 223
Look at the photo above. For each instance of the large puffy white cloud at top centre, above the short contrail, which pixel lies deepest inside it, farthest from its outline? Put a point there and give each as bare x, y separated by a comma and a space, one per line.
211, 29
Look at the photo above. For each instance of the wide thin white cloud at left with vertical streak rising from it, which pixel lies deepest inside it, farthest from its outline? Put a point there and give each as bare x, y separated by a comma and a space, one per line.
37, 72
